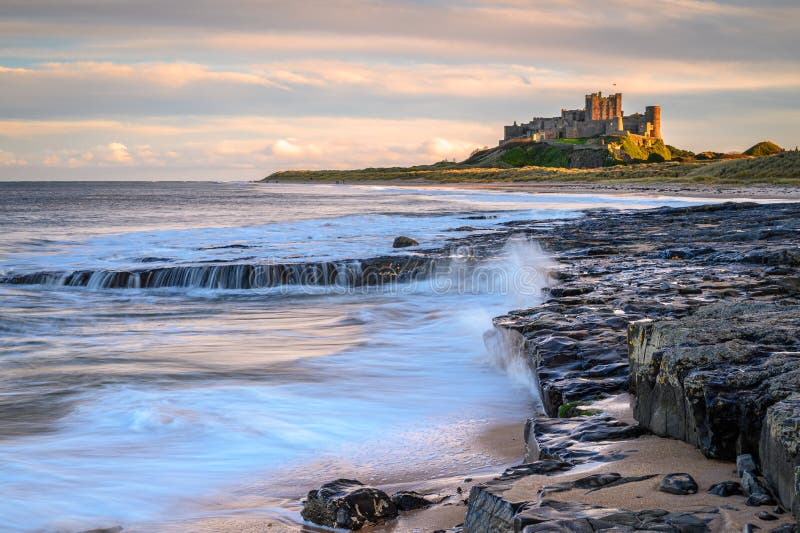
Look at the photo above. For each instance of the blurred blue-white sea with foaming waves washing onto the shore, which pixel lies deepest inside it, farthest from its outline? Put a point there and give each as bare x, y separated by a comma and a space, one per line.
134, 404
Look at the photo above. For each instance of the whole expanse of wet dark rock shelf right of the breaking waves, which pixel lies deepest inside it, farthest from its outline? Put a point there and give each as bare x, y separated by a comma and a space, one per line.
712, 292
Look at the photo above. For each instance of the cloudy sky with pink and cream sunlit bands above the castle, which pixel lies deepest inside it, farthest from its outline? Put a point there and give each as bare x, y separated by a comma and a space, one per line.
234, 90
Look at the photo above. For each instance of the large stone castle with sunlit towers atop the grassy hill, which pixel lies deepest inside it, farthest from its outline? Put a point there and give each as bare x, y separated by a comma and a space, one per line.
601, 116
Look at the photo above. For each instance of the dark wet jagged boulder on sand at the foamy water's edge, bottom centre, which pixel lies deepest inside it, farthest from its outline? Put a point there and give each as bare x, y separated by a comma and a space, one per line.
348, 504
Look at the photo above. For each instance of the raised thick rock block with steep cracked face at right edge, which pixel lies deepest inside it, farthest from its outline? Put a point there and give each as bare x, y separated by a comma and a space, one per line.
726, 379
